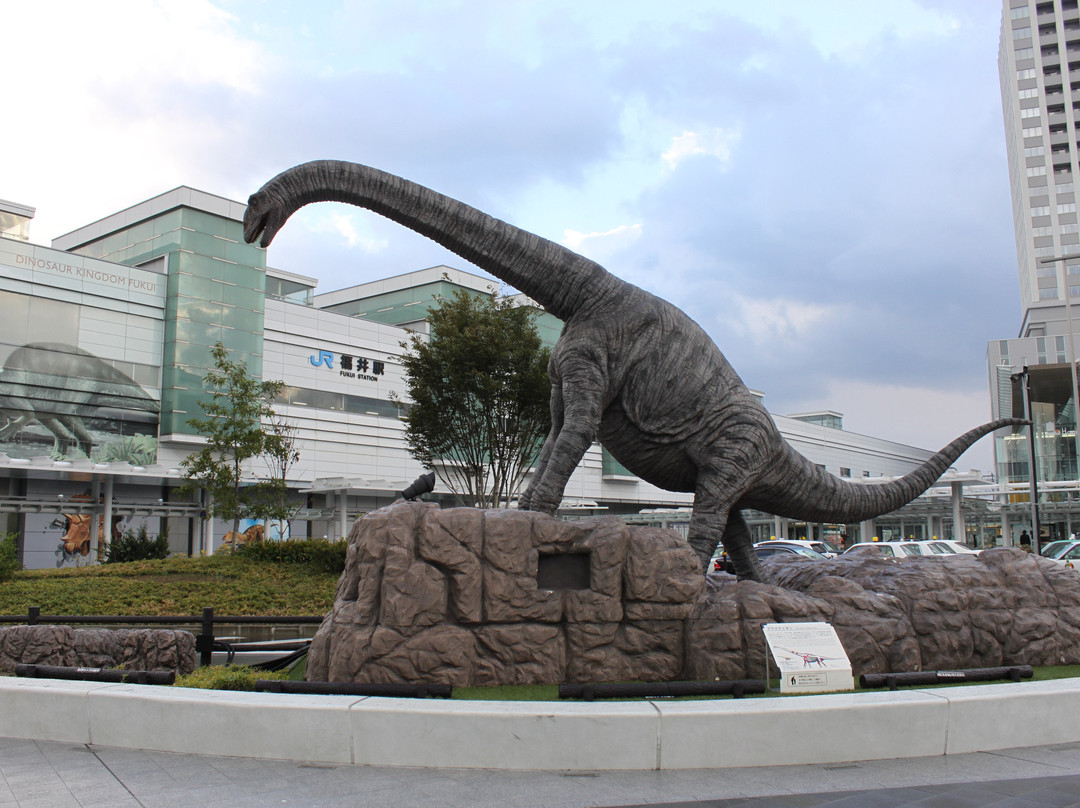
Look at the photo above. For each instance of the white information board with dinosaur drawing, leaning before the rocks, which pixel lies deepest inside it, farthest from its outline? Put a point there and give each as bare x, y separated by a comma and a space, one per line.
811, 658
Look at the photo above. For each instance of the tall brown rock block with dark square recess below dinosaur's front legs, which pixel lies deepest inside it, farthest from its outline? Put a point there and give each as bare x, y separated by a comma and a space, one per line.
465, 597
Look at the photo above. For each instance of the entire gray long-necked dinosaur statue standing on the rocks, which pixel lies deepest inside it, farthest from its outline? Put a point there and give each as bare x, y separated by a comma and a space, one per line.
630, 370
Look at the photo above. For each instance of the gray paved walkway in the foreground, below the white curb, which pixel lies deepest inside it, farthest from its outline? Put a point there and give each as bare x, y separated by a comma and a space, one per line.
47, 775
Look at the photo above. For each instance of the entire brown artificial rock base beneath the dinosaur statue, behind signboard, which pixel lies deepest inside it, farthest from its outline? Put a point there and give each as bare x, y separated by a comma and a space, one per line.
466, 598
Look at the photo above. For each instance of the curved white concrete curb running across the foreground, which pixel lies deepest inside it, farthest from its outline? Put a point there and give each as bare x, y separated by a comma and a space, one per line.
545, 736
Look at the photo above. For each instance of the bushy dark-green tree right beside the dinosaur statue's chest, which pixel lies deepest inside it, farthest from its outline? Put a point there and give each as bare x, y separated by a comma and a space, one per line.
479, 387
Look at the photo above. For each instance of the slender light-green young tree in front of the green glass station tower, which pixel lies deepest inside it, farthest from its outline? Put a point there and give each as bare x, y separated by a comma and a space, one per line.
234, 430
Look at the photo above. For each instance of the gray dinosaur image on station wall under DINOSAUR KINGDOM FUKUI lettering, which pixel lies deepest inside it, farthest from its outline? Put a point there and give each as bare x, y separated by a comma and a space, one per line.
59, 386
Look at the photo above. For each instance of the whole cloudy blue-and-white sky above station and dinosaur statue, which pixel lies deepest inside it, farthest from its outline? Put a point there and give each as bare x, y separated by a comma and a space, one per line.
821, 185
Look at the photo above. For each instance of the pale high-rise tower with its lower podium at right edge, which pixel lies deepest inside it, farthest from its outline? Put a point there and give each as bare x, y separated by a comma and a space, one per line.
1035, 373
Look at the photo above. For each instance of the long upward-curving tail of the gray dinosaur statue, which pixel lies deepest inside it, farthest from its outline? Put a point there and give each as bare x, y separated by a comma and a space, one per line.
807, 492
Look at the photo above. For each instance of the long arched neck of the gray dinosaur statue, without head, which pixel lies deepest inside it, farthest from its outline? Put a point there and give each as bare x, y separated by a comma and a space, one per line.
560, 280
